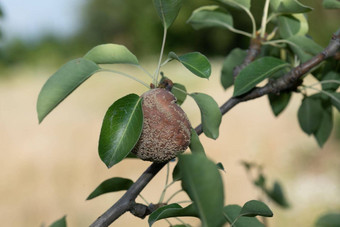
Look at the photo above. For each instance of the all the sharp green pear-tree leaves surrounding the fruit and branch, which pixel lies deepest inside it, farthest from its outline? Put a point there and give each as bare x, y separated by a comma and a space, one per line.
279, 49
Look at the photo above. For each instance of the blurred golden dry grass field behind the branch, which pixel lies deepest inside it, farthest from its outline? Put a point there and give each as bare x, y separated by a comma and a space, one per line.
48, 170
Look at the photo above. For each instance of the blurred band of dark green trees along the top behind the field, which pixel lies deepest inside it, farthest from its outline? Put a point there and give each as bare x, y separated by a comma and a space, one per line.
136, 25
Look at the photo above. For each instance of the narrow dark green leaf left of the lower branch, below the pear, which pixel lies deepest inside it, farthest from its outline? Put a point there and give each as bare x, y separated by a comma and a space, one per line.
111, 185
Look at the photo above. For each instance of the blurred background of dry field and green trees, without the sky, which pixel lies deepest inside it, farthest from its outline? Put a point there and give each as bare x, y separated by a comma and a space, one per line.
48, 170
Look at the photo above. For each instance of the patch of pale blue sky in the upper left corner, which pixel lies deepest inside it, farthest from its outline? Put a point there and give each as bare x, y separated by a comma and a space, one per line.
29, 19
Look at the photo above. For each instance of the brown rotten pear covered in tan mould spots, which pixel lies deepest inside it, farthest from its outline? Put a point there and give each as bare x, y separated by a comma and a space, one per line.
166, 128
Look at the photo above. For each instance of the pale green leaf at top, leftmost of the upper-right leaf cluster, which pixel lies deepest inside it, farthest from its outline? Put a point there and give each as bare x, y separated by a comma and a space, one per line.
210, 16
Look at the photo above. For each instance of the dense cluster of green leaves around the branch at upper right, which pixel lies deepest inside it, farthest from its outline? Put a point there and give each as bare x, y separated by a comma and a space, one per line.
283, 43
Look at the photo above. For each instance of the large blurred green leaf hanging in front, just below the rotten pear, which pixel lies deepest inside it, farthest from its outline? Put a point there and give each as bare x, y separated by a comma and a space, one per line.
203, 183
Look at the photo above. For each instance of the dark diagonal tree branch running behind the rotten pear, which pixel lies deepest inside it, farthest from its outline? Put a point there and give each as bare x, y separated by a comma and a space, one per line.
287, 82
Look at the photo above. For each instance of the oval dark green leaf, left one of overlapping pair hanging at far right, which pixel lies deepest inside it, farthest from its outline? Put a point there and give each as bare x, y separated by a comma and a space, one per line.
310, 114
